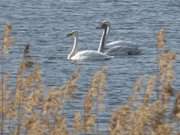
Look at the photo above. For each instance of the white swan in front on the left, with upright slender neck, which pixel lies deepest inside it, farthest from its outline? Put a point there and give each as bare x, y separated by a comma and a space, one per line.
76, 55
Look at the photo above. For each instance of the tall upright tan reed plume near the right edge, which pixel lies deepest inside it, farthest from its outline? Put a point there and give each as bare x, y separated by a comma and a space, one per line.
167, 75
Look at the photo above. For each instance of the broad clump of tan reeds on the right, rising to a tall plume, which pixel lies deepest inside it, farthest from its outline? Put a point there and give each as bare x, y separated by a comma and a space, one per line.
143, 115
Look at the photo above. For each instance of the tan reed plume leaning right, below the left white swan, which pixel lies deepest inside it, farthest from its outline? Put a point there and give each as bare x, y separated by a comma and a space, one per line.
54, 103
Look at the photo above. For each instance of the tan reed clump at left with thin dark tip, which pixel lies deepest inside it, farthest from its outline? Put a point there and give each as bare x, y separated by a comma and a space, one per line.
24, 87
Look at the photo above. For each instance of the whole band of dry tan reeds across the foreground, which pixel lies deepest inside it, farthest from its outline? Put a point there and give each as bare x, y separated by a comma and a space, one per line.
31, 108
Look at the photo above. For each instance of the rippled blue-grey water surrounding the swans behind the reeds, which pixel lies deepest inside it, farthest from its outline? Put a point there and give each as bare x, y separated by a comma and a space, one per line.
45, 23
